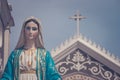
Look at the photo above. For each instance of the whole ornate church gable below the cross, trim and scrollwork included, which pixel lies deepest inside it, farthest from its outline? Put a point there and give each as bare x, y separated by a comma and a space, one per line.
81, 59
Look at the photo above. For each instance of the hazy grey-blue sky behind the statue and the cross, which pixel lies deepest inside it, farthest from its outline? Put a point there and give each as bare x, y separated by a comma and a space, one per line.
101, 24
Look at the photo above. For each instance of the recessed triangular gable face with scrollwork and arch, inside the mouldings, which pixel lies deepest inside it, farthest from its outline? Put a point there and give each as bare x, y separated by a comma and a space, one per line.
84, 65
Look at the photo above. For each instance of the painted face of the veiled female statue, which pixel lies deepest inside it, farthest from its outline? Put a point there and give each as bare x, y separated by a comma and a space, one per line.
31, 31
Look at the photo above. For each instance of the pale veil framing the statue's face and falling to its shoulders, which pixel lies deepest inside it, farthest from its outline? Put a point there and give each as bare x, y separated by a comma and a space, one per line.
39, 39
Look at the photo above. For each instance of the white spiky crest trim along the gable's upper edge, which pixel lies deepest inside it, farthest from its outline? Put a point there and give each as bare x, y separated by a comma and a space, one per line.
92, 45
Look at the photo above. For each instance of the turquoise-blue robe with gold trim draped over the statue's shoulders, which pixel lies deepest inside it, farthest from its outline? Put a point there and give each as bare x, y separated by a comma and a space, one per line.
45, 67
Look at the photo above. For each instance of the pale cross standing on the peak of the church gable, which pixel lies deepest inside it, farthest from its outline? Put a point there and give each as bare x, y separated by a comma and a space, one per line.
77, 17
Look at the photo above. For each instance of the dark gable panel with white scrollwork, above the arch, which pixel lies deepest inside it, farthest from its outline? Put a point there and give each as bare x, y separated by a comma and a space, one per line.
81, 62
